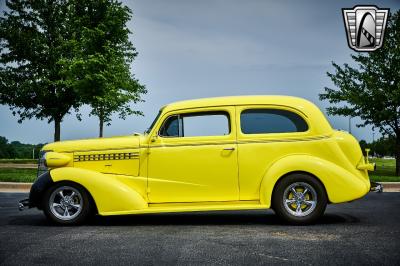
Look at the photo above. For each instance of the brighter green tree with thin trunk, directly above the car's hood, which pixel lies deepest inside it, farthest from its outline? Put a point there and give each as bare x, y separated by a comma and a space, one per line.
100, 69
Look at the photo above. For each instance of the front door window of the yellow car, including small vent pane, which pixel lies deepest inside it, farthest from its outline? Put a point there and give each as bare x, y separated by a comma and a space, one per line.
196, 124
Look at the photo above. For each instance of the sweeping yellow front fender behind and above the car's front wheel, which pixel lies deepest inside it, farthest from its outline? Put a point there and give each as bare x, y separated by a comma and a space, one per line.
110, 194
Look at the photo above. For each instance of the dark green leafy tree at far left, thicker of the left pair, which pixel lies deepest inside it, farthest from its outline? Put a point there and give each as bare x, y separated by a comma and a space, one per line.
33, 42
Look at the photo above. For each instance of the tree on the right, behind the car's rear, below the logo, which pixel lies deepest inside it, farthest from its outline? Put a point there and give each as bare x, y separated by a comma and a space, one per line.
371, 91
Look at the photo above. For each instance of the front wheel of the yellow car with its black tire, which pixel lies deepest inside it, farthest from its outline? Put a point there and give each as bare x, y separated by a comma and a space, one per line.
77, 215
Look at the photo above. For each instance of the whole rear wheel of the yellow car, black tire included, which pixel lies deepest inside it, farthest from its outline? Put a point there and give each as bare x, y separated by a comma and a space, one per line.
312, 203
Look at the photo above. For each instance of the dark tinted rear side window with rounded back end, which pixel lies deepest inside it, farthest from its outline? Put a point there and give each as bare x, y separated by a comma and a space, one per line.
262, 121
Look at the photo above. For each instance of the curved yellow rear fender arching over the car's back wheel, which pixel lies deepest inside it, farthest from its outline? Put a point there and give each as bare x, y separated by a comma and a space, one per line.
340, 184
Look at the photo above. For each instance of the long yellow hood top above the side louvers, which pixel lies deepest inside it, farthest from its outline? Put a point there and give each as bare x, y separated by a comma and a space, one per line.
97, 144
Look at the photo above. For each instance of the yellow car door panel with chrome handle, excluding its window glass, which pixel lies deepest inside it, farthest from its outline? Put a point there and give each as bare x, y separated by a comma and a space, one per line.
195, 168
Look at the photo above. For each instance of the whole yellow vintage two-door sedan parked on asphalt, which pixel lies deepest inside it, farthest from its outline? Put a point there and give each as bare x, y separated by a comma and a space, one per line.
225, 153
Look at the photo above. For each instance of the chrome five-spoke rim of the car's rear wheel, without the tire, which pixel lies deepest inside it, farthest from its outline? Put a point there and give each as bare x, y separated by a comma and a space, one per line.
300, 199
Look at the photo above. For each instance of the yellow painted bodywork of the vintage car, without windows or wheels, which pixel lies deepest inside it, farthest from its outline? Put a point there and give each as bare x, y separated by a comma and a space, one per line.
235, 171
